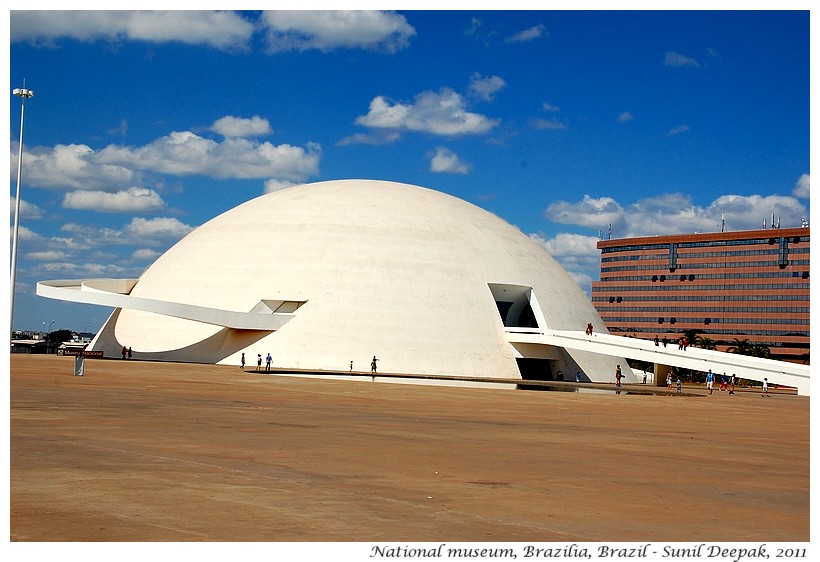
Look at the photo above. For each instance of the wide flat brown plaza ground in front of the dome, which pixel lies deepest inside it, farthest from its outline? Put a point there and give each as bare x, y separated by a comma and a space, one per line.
140, 451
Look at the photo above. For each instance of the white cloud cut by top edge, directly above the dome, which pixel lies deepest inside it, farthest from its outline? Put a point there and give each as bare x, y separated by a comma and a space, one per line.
326, 30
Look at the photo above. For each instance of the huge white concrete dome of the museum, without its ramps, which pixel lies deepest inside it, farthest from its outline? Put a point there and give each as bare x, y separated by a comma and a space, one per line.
418, 278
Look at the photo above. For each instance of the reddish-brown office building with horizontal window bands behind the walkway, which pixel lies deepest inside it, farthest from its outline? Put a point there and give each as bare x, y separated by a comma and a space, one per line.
729, 286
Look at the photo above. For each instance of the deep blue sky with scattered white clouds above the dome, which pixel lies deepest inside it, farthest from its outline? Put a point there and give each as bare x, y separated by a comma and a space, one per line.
145, 125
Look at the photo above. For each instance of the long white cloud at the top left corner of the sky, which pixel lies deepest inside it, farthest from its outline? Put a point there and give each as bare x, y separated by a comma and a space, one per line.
219, 30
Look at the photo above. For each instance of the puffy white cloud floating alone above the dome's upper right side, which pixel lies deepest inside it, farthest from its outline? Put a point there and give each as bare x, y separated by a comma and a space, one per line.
439, 113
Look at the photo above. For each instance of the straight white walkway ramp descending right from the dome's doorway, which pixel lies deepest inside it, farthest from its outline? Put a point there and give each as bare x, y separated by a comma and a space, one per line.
742, 366
